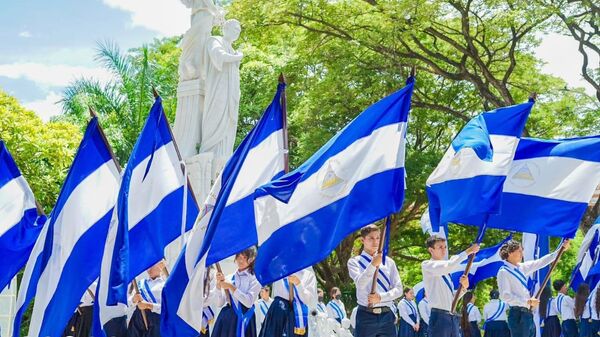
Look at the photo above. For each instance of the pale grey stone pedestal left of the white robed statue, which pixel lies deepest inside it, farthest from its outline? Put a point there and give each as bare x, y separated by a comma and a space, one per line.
188, 119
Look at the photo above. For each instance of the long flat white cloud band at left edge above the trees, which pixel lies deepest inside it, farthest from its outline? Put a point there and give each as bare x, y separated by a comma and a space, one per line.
46, 75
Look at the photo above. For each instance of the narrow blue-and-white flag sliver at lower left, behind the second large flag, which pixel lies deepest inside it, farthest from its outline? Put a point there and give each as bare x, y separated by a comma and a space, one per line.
28, 286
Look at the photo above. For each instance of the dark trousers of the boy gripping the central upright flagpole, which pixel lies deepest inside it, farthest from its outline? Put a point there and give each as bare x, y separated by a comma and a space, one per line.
369, 324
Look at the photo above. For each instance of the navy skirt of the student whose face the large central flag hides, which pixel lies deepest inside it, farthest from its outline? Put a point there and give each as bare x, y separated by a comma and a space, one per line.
280, 320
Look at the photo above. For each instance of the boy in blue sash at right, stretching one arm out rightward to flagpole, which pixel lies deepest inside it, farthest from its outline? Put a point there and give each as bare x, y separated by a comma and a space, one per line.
512, 284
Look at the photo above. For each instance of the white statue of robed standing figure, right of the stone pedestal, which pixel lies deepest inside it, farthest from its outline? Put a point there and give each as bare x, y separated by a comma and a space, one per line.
222, 95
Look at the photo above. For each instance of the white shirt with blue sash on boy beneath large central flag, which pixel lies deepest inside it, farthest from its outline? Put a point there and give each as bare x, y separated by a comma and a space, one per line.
389, 285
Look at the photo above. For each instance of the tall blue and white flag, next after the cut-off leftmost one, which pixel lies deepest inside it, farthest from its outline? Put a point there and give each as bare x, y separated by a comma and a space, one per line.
72, 252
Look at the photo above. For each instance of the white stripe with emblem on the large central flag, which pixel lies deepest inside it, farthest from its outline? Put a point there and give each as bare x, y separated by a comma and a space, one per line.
368, 151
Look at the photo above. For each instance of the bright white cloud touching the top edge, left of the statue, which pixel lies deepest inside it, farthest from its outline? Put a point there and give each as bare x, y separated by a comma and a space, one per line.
167, 17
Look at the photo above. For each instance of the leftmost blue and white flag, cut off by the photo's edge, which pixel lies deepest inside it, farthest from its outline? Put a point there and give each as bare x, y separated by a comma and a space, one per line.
19, 223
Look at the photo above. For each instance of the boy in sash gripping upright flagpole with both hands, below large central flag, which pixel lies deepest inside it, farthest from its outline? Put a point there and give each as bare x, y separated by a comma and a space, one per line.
375, 313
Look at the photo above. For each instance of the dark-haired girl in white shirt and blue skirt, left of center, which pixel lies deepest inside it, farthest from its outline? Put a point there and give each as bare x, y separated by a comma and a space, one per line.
236, 296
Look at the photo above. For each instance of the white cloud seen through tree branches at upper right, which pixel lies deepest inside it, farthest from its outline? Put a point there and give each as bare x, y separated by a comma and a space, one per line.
562, 59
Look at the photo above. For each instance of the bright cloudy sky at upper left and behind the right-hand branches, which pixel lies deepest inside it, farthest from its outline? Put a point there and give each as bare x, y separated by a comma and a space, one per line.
47, 44
